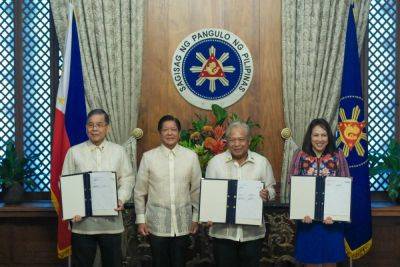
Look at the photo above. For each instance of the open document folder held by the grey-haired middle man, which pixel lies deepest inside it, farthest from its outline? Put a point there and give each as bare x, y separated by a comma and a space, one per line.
231, 201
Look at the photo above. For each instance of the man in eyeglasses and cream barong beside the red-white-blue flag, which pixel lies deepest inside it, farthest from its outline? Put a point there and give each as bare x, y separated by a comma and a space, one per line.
98, 154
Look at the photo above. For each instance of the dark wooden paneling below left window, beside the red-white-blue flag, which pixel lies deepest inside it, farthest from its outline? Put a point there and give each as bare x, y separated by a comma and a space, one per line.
28, 235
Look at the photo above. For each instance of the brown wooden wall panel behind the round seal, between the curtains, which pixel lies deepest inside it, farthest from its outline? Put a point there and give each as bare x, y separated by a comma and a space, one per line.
256, 22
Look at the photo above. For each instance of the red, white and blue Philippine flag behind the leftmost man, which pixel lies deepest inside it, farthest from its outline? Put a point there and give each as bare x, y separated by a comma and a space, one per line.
69, 125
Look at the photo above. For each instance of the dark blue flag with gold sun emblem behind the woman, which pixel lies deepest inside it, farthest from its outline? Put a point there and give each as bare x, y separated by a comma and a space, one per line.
352, 139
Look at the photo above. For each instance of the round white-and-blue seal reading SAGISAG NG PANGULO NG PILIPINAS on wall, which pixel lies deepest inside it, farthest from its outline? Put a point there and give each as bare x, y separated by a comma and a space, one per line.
212, 66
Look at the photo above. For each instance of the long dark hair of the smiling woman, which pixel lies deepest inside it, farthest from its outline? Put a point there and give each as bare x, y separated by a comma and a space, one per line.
307, 145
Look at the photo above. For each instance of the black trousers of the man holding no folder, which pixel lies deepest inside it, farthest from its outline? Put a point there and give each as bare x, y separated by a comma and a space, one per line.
169, 251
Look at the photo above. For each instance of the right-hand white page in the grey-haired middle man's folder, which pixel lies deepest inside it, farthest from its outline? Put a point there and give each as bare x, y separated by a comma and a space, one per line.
248, 202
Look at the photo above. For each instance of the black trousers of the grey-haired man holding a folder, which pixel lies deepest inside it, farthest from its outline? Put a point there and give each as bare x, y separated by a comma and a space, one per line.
228, 253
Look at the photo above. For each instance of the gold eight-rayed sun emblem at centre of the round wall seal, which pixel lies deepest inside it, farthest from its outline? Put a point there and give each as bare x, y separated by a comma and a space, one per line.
212, 69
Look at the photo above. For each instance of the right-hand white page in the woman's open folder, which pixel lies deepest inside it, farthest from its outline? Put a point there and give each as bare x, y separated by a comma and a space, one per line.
337, 198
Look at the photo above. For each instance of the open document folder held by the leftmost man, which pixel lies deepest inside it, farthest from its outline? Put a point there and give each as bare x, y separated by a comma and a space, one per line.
89, 194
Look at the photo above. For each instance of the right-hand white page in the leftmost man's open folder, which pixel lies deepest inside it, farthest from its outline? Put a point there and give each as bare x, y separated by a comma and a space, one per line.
104, 193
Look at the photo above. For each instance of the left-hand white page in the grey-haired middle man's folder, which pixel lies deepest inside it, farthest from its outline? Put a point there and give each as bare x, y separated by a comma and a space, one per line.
213, 200
